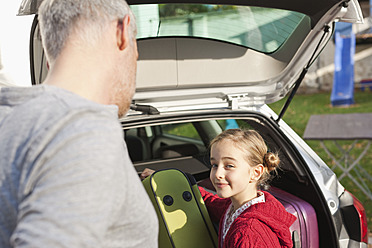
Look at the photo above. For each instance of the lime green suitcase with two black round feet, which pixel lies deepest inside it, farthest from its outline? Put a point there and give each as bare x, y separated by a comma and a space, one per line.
183, 217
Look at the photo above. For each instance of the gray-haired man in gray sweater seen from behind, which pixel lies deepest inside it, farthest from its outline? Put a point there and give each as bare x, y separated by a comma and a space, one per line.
66, 179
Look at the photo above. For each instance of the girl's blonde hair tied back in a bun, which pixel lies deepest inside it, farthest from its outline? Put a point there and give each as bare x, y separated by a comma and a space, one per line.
251, 142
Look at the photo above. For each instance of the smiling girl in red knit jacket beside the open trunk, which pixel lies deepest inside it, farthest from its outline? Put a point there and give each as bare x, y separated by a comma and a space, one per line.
248, 217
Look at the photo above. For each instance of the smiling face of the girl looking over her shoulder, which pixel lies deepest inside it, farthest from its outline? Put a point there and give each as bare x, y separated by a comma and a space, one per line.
231, 174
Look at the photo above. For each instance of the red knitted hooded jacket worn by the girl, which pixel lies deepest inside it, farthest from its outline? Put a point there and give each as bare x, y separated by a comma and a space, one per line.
261, 225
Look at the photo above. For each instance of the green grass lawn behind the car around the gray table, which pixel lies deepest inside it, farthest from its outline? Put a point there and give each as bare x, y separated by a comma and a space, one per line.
297, 116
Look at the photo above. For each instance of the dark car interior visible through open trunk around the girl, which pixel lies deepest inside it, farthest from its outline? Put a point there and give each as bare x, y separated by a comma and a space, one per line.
185, 145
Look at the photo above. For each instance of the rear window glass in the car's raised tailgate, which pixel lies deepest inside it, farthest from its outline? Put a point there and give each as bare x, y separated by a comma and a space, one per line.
261, 29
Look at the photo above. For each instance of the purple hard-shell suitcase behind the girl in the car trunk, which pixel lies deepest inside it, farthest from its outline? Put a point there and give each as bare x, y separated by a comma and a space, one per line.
305, 229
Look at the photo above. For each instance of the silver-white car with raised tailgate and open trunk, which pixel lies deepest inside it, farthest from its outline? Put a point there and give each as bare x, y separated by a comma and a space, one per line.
210, 65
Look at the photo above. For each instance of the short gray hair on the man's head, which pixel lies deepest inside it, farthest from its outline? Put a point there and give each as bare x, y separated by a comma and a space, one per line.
85, 18
